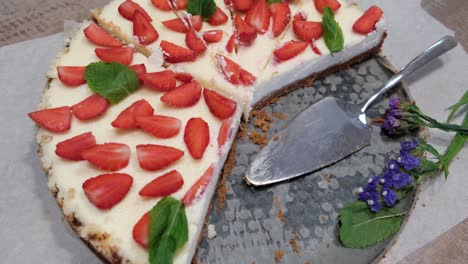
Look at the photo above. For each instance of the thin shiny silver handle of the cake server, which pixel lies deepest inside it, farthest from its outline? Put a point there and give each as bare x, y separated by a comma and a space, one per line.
435, 50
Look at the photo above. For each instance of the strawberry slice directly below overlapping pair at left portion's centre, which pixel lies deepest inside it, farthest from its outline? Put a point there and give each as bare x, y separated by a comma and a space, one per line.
156, 157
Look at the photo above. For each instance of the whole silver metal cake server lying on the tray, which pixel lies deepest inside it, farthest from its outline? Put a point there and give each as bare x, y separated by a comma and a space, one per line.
327, 131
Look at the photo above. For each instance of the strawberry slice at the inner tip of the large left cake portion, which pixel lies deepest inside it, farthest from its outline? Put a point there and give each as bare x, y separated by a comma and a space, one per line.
219, 105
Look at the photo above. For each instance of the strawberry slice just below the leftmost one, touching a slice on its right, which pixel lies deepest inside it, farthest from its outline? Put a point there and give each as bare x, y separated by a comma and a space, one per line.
71, 148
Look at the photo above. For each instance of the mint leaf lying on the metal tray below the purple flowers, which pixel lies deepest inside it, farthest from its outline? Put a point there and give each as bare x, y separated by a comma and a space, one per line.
361, 228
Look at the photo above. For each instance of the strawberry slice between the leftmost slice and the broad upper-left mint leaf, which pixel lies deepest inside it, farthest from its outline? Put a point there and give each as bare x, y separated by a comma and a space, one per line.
90, 107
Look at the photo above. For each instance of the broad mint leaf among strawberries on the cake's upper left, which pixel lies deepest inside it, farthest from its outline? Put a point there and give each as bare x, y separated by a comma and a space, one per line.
113, 81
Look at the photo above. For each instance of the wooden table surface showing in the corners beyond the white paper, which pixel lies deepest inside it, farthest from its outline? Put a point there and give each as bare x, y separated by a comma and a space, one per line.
30, 19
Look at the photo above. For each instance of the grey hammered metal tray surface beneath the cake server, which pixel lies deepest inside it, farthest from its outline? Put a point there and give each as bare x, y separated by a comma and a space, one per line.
299, 218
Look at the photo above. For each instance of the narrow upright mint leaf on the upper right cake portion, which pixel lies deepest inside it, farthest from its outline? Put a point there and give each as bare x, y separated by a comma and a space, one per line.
332, 33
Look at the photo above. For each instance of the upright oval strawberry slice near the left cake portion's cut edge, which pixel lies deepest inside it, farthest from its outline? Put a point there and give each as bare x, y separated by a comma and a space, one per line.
197, 137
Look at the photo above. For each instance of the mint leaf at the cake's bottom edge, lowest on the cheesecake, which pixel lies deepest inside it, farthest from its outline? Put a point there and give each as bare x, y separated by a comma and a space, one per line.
168, 230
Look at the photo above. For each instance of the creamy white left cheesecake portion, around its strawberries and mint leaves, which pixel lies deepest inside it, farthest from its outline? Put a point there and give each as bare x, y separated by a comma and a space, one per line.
109, 231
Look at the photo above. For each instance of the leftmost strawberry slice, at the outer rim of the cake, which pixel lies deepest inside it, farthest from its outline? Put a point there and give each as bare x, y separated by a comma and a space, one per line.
53, 119
